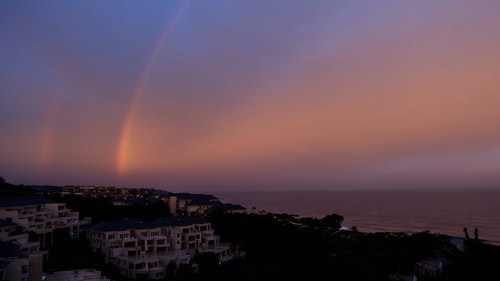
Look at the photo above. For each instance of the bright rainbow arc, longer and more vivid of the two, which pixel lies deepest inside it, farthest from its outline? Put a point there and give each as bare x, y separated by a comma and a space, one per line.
123, 145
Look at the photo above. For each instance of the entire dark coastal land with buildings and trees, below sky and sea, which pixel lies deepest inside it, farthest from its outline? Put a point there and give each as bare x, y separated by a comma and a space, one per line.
107, 233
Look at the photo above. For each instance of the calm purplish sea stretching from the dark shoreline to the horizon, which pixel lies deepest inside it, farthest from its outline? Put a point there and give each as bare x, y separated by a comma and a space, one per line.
440, 211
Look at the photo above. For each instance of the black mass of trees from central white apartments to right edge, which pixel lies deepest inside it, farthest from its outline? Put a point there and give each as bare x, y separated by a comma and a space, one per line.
284, 247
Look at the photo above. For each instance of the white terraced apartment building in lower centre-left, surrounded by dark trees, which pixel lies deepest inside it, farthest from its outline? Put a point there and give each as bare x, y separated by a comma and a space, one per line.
144, 249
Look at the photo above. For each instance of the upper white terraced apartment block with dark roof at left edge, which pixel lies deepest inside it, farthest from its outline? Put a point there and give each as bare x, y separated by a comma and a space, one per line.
42, 217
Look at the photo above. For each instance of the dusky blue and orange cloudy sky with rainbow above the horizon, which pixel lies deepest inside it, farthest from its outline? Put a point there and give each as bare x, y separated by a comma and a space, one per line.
251, 95
